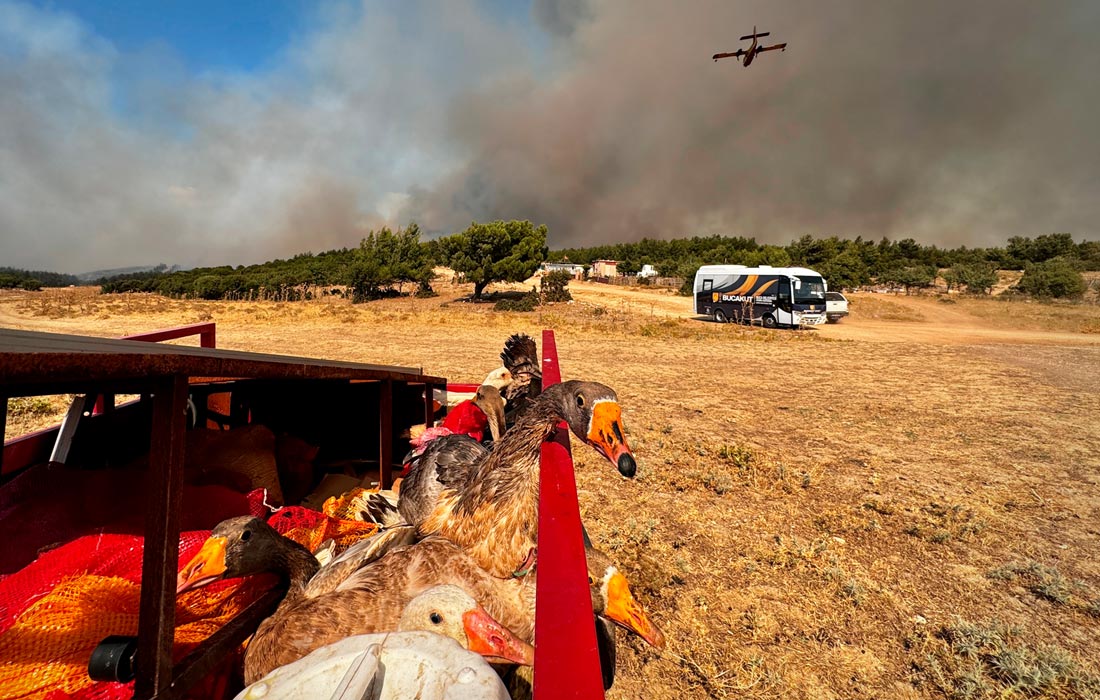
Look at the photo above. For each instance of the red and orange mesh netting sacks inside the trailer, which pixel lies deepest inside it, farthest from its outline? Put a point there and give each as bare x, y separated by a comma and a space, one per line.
57, 610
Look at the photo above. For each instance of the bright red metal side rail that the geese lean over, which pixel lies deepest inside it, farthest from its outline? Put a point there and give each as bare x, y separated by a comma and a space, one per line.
567, 661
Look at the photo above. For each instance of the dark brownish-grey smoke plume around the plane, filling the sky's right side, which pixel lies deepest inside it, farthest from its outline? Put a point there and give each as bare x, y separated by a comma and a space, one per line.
951, 123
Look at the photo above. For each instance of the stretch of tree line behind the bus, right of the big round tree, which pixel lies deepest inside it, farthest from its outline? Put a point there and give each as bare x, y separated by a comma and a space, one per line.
1051, 262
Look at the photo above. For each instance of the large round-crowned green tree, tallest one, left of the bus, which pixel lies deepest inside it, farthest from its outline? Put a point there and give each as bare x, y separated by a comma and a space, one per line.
498, 251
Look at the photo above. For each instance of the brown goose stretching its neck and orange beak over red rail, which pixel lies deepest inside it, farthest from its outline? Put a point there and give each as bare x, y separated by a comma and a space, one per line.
488, 501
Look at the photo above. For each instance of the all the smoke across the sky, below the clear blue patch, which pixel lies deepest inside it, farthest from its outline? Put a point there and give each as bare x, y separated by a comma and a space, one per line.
949, 123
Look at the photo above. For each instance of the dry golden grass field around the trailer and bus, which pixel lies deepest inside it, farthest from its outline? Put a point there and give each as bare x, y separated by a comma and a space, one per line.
906, 505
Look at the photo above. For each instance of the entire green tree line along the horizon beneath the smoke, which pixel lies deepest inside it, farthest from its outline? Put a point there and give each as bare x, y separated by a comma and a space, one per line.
397, 261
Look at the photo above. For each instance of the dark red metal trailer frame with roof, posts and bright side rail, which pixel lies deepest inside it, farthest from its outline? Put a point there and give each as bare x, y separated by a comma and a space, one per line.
274, 389
